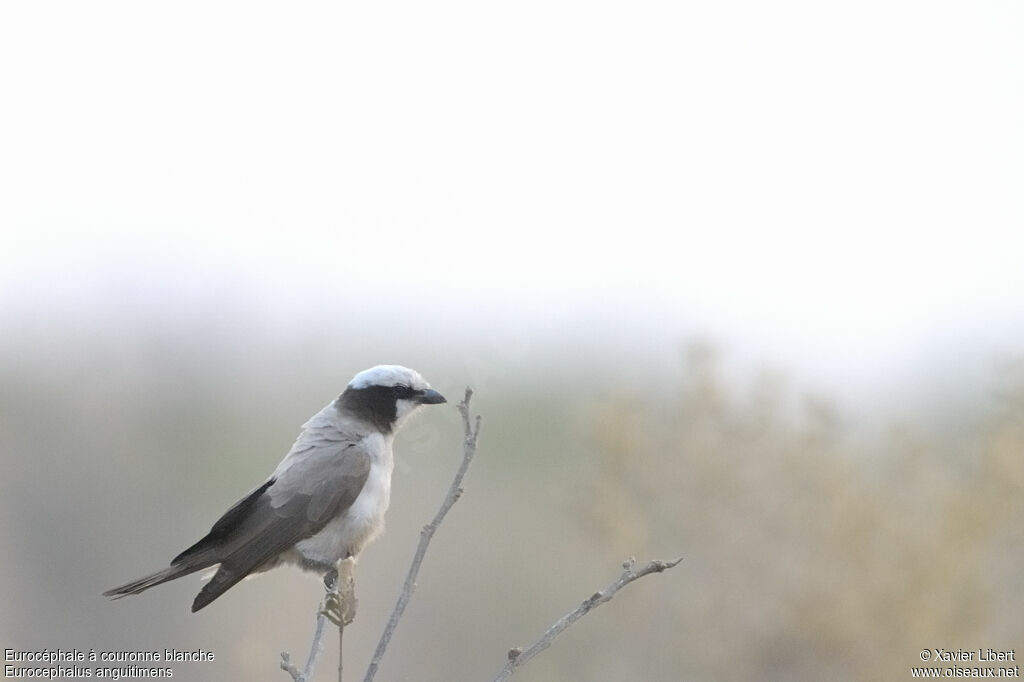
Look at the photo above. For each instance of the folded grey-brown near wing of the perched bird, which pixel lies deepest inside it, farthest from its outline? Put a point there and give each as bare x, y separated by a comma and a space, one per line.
312, 491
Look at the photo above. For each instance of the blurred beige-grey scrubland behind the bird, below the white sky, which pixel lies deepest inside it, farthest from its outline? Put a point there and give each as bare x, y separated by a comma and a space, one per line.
816, 544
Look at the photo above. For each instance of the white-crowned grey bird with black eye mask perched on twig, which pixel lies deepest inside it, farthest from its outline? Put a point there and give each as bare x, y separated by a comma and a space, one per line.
326, 500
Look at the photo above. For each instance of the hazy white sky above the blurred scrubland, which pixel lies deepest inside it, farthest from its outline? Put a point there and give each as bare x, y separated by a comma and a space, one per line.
814, 173
